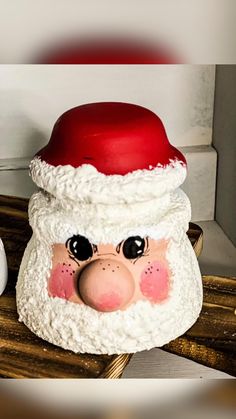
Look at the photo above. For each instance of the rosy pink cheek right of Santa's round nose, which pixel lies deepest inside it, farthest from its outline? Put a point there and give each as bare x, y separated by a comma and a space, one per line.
154, 282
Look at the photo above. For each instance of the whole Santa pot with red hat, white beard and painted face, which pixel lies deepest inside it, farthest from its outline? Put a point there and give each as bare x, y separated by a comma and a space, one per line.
109, 268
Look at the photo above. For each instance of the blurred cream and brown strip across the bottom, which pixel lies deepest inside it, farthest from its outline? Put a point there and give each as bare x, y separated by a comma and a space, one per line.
114, 399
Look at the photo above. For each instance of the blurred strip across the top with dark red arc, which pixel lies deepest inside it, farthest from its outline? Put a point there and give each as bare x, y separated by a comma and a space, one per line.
201, 31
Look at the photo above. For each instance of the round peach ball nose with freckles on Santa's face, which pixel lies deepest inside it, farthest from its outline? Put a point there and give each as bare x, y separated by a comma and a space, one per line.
106, 285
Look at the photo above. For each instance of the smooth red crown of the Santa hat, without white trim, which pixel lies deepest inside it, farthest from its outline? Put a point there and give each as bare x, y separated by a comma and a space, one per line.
114, 137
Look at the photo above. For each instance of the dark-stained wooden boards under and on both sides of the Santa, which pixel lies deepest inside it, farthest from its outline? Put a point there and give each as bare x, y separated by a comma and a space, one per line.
211, 341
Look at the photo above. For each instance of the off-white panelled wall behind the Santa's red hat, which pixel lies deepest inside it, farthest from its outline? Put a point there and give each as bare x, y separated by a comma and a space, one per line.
33, 97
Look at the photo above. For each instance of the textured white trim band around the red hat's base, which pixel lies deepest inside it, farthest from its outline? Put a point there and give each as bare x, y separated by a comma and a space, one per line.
86, 184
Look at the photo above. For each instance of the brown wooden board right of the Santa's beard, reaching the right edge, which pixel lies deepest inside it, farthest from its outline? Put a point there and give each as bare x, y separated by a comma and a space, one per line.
212, 339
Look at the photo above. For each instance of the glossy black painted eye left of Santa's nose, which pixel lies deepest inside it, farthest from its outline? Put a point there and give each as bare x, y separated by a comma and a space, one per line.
80, 247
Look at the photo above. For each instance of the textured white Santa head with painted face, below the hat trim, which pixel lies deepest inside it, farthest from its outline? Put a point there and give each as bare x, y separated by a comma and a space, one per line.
109, 279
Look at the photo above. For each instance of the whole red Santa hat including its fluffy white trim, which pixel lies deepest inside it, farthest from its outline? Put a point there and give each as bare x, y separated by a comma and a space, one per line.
108, 152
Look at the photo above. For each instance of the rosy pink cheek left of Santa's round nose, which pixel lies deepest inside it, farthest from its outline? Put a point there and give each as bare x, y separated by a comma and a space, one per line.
61, 282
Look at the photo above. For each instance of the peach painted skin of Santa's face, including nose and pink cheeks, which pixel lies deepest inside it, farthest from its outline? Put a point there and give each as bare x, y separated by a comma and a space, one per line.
108, 277
